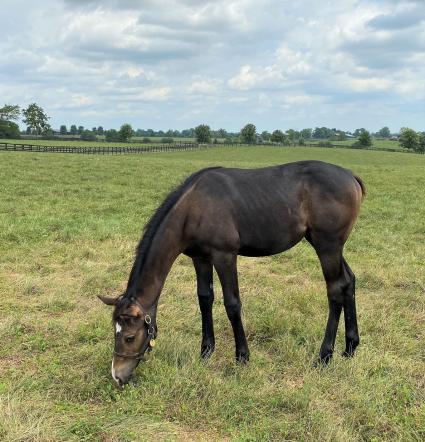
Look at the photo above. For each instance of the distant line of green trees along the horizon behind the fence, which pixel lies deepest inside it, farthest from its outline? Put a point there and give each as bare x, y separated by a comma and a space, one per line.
36, 121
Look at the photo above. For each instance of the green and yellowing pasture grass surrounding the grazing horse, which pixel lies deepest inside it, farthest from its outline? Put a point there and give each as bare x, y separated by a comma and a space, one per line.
68, 229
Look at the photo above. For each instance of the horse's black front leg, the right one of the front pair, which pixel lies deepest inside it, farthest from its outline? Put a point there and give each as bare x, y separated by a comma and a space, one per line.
225, 264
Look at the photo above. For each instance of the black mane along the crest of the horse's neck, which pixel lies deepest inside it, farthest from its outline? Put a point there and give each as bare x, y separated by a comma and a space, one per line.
142, 249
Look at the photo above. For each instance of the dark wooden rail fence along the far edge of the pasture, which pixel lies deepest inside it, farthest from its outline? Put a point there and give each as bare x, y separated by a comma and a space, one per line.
180, 146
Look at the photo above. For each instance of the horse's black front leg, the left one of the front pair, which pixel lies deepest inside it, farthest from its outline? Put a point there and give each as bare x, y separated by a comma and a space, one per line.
204, 280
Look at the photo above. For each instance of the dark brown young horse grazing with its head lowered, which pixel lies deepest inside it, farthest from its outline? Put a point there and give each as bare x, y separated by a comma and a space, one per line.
219, 213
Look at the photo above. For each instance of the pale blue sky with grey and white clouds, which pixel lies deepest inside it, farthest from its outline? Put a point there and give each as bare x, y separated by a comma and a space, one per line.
174, 64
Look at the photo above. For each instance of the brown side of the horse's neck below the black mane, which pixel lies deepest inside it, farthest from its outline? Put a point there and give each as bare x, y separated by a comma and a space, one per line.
165, 248
